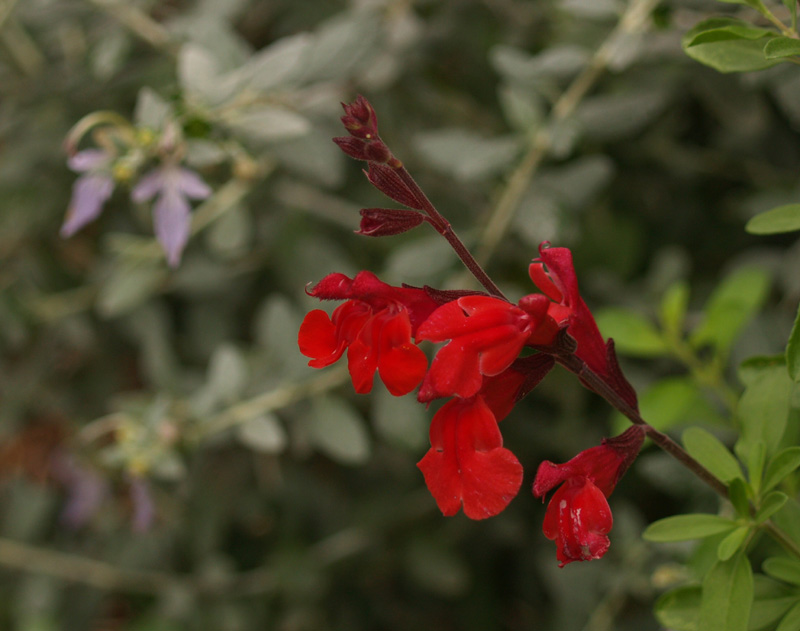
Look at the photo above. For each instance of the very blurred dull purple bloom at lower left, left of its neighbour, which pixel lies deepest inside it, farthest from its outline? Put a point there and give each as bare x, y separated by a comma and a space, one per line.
86, 490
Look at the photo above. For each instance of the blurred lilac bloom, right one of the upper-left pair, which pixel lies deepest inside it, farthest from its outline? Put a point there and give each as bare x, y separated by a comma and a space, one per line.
174, 186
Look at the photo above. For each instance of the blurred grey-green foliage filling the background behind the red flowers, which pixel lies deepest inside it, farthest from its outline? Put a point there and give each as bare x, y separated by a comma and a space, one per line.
167, 459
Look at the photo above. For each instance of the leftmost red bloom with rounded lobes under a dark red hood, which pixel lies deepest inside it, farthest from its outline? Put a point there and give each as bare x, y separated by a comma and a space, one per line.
375, 326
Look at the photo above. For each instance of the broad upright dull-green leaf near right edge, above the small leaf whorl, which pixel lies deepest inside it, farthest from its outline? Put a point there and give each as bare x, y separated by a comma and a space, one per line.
763, 408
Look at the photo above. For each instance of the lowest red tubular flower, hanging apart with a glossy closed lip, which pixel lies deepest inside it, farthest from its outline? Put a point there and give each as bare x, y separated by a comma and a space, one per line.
578, 517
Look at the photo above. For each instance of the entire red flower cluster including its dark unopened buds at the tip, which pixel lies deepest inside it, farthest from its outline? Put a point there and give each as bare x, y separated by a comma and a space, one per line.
479, 366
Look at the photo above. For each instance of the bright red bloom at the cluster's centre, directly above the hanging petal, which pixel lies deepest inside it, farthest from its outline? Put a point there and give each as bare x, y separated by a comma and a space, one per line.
485, 336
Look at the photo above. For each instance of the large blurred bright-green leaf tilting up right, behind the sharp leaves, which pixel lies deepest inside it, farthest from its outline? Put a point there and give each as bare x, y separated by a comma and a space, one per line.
732, 305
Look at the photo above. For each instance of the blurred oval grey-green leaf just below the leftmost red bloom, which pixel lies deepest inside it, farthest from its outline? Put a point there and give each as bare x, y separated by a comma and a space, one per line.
337, 429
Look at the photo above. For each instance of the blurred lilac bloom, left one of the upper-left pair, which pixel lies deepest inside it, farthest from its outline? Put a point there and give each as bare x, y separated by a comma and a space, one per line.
90, 191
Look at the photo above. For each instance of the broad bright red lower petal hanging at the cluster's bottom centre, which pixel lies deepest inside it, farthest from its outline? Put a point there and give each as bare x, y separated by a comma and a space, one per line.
467, 464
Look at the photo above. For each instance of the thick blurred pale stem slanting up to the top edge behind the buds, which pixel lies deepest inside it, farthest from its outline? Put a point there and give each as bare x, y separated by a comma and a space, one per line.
632, 21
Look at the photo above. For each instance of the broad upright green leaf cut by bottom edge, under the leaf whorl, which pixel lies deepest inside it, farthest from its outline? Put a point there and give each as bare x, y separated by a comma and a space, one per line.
727, 595
